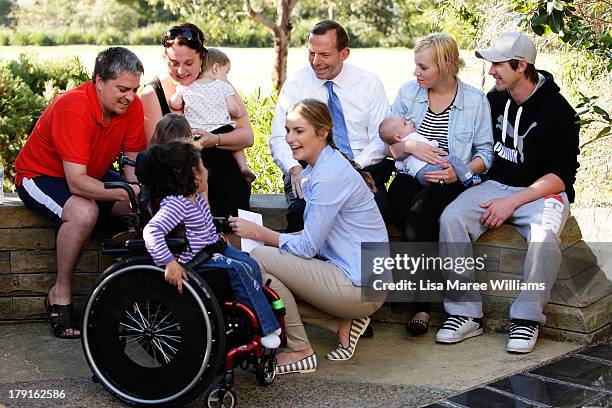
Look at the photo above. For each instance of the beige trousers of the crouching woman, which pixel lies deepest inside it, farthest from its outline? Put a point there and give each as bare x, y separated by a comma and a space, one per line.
313, 291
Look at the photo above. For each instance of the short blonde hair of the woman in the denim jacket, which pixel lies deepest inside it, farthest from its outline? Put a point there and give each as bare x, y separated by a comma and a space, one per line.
445, 53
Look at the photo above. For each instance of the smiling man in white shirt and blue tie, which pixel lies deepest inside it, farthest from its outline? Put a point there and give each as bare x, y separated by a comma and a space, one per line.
358, 103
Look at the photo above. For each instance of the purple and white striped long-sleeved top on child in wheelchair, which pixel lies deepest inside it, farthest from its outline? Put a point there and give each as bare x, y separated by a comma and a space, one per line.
199, 228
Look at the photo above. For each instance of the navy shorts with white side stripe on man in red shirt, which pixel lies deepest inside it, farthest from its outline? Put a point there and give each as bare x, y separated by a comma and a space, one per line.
48, 195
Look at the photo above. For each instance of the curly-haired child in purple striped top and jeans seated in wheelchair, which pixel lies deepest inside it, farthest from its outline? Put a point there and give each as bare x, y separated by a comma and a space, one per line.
174, 173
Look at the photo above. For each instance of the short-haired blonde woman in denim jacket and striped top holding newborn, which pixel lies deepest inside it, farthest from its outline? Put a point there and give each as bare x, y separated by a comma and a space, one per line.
458, 117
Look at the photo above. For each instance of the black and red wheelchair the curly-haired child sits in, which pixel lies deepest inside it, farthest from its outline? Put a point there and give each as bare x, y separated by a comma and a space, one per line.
151, 346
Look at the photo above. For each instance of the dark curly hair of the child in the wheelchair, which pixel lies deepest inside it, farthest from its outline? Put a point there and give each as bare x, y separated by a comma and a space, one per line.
168, 169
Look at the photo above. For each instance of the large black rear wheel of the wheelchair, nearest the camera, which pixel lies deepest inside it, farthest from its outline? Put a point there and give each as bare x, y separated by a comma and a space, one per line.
148, 344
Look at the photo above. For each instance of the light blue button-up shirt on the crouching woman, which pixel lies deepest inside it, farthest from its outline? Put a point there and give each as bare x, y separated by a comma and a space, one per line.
340, 214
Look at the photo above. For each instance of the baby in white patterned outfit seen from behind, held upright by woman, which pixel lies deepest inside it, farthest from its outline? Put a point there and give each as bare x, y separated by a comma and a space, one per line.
210, 102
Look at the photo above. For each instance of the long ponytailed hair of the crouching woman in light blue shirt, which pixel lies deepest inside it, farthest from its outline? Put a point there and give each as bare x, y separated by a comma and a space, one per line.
317, 114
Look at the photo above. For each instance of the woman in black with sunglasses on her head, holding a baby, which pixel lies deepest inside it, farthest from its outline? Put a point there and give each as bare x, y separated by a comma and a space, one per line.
184, 52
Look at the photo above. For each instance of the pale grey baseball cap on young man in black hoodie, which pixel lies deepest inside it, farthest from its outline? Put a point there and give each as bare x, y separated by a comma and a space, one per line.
510, 46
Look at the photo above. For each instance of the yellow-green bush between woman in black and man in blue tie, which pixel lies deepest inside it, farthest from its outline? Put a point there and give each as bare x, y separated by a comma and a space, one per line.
269, 177
